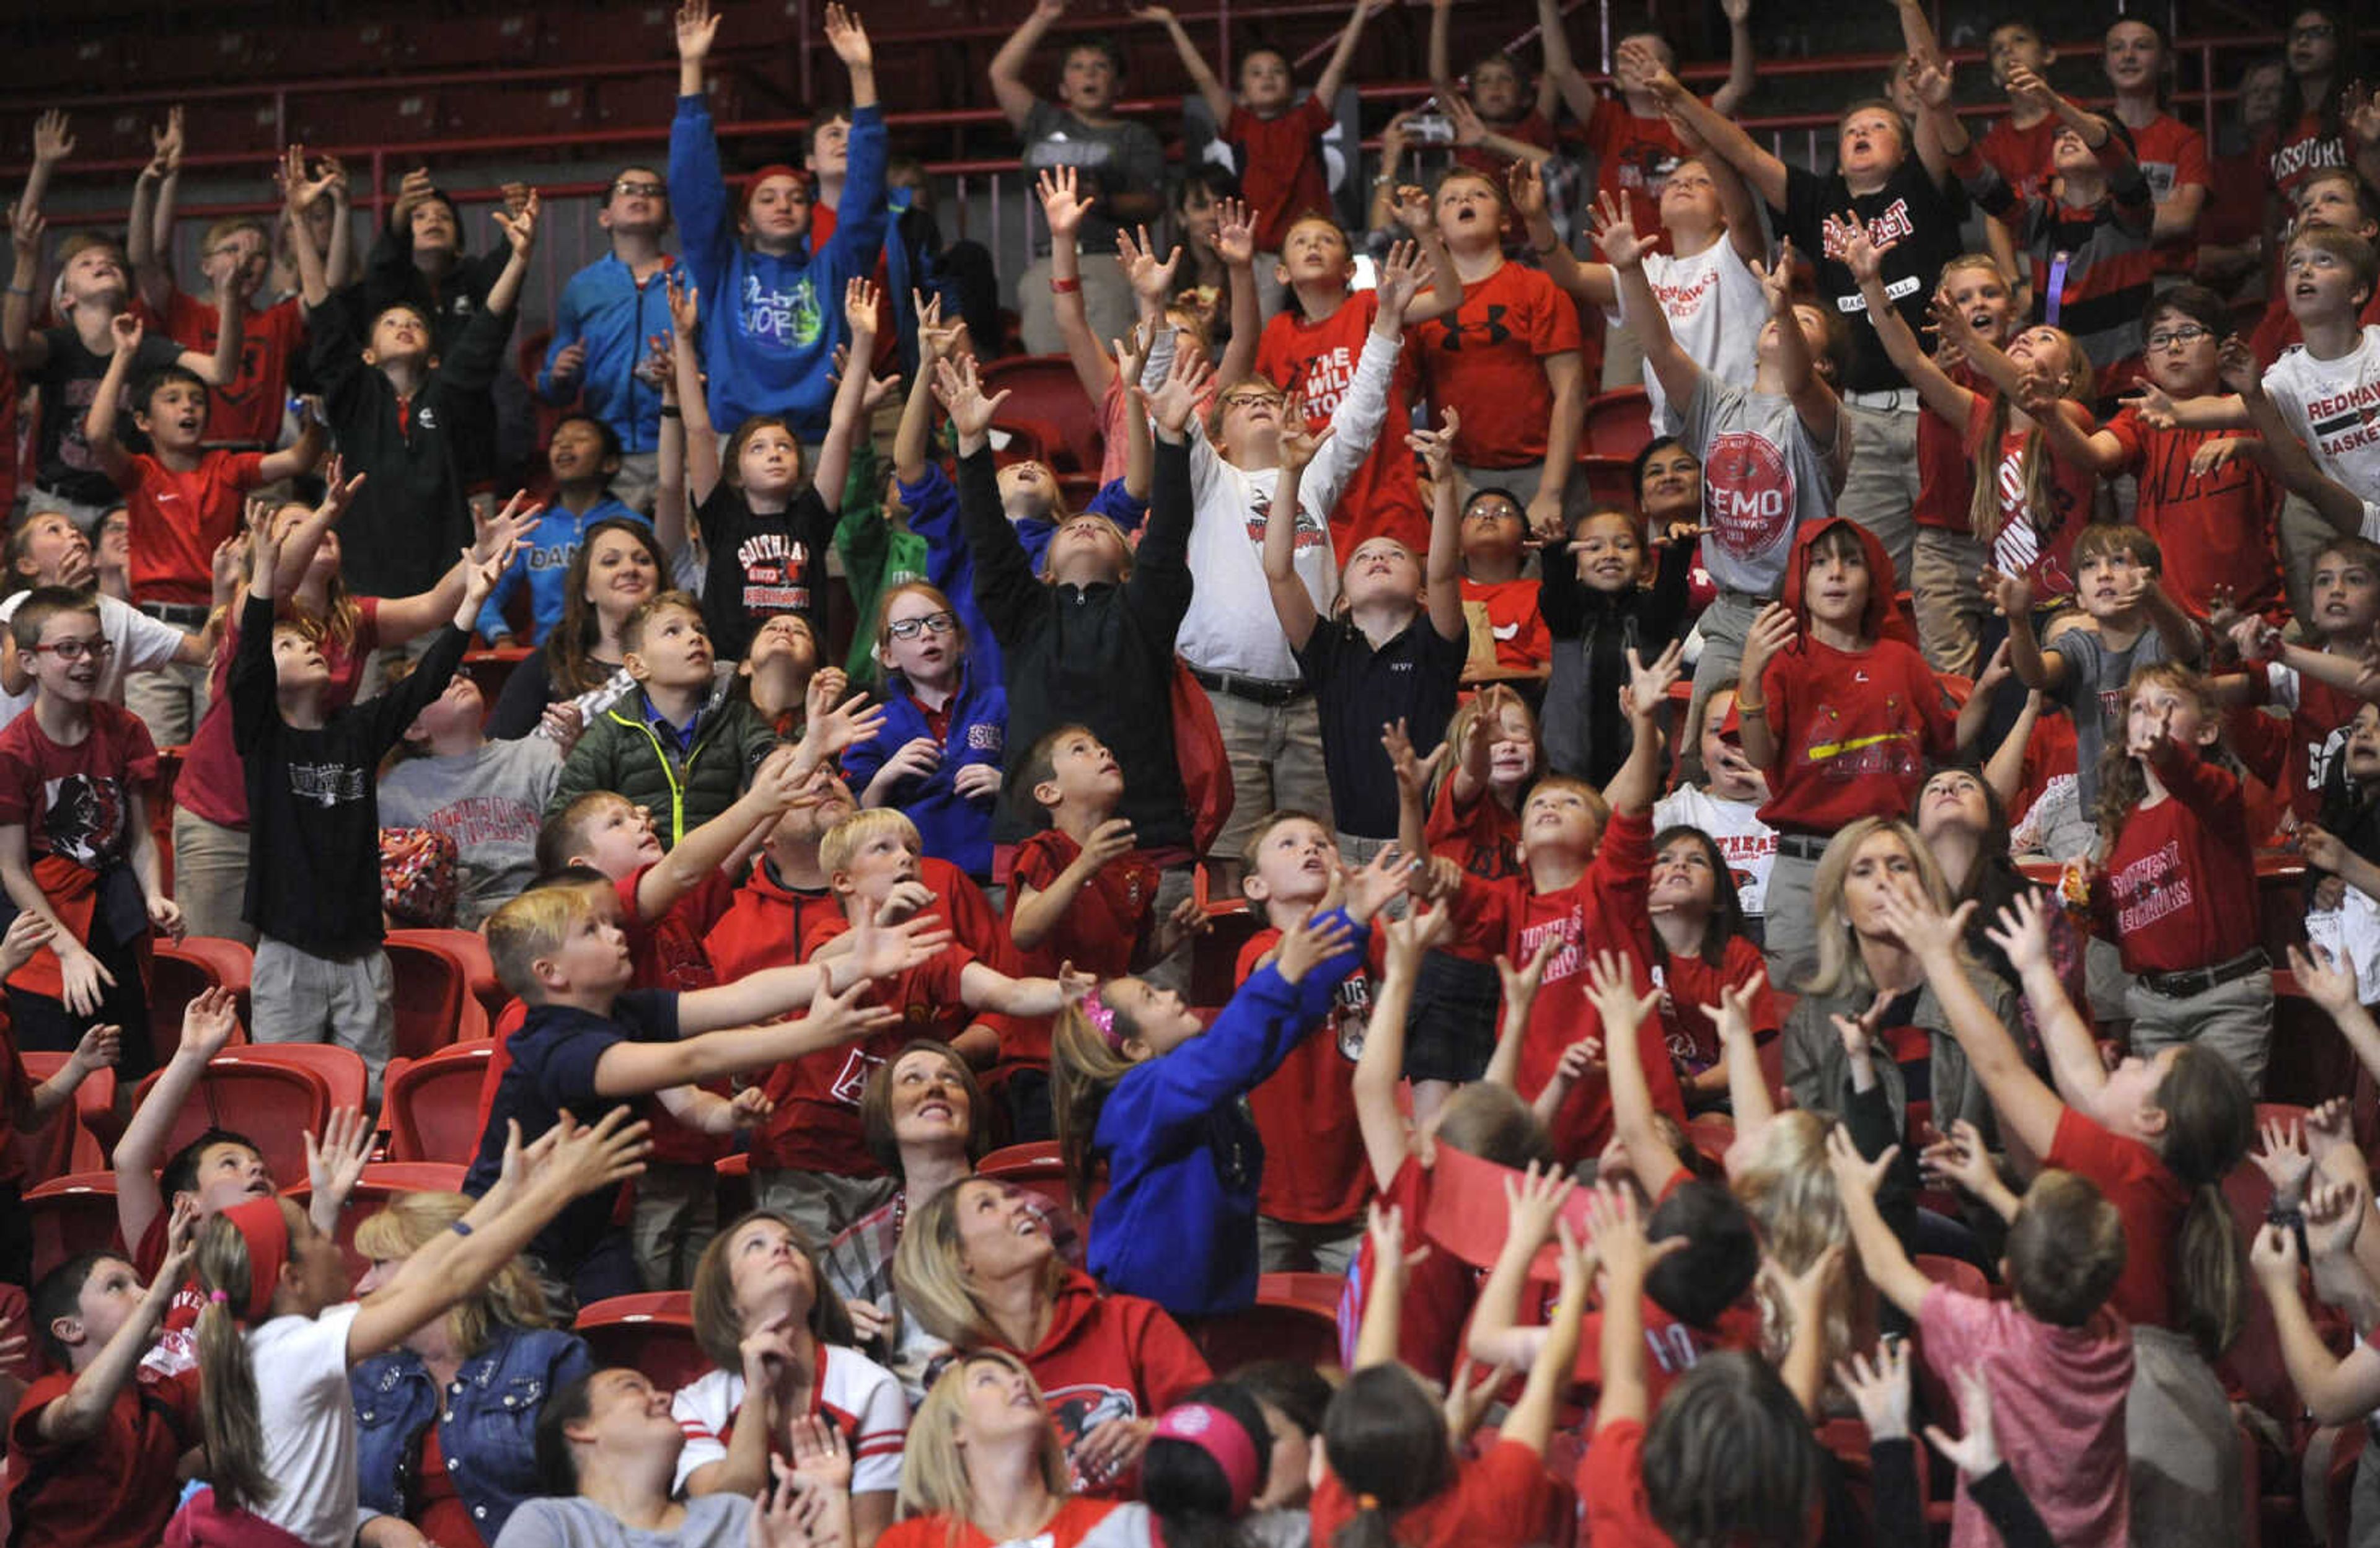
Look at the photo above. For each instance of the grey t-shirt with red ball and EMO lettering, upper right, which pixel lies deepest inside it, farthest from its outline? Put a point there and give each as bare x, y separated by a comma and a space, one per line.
1762, 477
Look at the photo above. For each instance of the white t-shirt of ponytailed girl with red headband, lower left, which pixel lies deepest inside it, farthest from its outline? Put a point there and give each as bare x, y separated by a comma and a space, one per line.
308, 1426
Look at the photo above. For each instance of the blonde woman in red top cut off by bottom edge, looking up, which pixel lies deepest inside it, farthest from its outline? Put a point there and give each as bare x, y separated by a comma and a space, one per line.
987, 1466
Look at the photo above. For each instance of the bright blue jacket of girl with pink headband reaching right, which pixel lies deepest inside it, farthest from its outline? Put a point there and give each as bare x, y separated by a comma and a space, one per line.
1184, 1159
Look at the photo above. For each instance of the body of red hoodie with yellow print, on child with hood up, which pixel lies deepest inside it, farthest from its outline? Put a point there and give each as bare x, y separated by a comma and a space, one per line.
1855, 734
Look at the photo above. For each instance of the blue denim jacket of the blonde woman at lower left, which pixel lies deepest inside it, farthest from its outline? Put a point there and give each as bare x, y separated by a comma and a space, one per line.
487, 1423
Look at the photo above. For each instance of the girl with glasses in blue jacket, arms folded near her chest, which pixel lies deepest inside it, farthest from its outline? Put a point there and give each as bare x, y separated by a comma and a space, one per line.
946, 726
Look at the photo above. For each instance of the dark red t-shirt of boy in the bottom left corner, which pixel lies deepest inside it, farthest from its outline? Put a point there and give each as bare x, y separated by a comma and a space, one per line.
113, 1490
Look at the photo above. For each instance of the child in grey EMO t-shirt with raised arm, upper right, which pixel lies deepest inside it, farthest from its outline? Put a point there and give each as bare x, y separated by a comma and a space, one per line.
1772, 453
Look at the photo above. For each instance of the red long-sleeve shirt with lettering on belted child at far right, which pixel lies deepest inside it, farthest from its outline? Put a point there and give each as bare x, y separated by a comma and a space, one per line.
2181, 879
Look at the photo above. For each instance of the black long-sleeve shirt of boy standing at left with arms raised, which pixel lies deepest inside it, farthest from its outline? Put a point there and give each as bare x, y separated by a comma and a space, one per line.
313, 795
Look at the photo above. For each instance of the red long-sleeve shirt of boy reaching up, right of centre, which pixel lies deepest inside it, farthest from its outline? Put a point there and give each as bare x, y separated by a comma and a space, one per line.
1601, 912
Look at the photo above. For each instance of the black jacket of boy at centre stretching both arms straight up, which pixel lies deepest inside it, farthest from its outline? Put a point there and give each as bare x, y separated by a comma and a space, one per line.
1094, 655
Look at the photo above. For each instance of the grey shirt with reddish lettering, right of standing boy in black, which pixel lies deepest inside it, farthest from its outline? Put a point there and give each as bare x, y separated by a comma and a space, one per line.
489, 803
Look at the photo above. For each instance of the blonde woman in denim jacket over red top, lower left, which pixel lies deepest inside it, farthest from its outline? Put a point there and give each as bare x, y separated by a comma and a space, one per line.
465, 1385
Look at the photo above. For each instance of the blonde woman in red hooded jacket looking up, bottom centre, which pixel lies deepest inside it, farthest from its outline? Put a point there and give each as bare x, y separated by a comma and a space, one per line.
977, 1269
